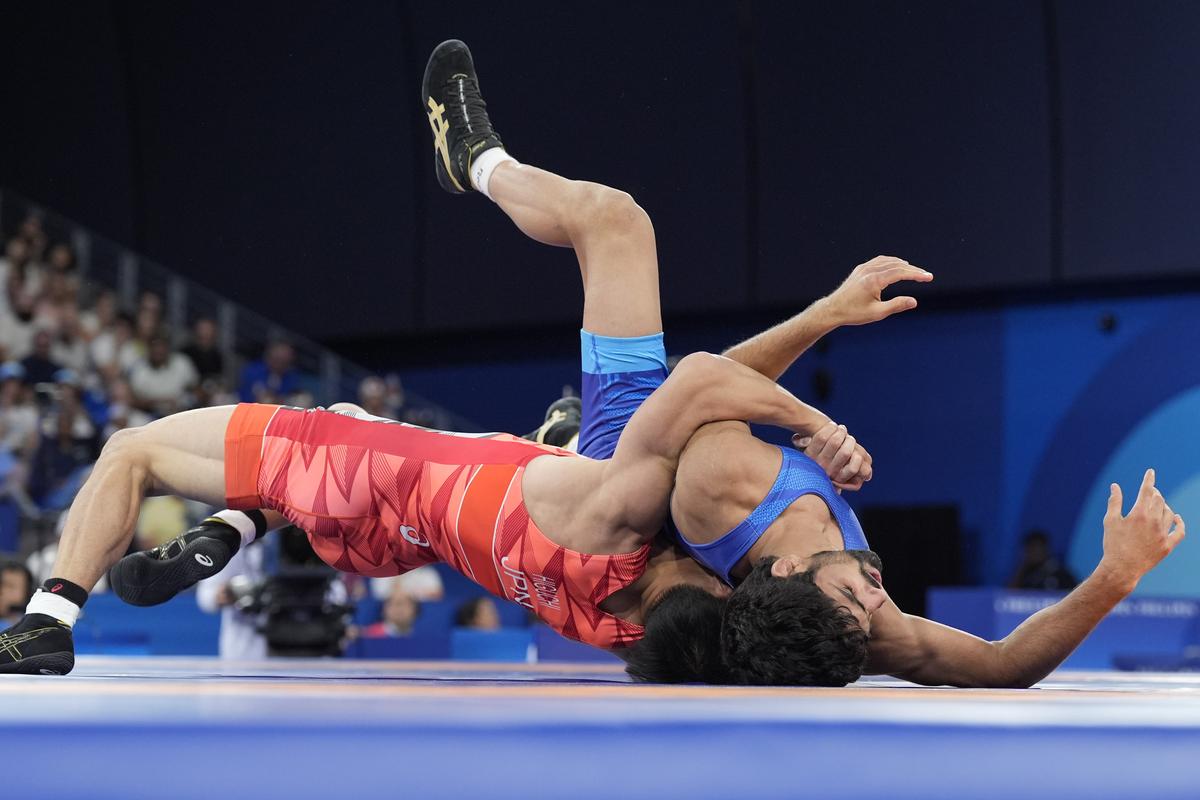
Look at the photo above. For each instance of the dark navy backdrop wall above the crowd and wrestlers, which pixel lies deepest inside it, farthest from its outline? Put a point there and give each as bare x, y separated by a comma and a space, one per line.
279, 152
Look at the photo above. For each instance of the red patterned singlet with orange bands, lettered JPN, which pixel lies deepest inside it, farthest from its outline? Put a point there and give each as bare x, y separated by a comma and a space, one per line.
381, 498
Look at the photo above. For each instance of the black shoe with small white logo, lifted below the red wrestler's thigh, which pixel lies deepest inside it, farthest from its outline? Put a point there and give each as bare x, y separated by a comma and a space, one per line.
155, 576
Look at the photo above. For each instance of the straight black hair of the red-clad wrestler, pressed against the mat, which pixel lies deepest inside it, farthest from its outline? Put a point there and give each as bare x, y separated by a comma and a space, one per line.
682, 642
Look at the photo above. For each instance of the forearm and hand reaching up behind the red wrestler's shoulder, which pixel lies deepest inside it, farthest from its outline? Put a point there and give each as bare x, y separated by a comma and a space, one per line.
857, 302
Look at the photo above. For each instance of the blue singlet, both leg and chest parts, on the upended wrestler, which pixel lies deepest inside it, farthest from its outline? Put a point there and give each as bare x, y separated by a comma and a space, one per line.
620, 375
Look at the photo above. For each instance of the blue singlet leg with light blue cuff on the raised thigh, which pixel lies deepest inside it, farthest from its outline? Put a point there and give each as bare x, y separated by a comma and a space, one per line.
619, 376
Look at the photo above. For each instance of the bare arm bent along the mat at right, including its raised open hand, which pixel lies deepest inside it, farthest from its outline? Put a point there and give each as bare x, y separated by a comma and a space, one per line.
928, 653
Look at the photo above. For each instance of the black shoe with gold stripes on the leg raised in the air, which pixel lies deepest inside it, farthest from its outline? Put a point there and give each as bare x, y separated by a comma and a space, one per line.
458, 116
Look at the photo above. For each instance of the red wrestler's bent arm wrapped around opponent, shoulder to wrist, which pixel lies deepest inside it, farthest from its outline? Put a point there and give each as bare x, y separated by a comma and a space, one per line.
703, 389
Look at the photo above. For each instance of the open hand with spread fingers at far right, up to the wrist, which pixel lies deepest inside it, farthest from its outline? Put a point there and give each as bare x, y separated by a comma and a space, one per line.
1136, 544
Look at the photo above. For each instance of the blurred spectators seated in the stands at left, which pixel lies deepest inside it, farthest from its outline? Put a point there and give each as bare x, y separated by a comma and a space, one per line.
77, 365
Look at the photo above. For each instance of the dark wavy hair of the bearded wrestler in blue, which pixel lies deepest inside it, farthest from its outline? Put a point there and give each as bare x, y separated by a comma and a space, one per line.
788, 633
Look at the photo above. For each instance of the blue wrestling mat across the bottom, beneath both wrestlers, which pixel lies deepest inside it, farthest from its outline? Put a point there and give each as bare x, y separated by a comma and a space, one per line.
184, 729
